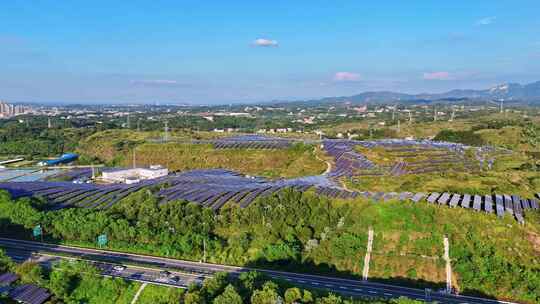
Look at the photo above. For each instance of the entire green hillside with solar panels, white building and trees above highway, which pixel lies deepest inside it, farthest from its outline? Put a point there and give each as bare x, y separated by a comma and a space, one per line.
302, 202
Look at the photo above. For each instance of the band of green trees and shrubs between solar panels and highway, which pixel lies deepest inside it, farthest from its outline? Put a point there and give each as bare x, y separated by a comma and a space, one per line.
303, 232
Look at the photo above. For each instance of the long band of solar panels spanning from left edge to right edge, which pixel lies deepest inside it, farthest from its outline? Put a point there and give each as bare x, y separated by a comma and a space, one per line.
214, 187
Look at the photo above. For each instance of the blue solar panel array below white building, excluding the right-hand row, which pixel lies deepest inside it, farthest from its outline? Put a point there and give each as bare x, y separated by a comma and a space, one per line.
211, 188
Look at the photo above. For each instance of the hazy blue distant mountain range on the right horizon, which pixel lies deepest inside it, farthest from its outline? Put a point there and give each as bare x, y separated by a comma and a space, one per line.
509, 92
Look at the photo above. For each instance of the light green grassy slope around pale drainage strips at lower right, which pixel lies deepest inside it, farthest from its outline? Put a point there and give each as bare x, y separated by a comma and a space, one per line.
408, 243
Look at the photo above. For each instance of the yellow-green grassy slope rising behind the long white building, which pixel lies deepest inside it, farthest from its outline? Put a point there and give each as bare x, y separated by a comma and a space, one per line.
114, 148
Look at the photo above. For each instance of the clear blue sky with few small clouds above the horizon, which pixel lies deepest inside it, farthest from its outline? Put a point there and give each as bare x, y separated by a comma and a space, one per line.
248, 51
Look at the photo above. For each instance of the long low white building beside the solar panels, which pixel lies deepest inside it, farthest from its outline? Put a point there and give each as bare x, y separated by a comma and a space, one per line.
134, 175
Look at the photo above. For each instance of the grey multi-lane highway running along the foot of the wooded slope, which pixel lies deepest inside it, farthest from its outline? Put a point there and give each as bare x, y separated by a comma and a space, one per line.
147, 268
